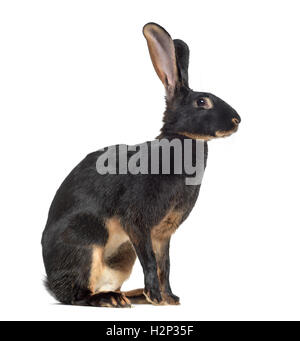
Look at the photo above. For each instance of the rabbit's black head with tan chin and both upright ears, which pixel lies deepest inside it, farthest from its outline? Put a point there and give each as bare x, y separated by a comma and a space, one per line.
198, 115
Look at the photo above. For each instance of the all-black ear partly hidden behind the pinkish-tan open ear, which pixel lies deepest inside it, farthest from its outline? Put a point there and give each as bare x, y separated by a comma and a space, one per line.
182, 57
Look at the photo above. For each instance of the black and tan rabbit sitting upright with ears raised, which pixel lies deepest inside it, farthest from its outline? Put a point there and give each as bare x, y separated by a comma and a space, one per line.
99, 223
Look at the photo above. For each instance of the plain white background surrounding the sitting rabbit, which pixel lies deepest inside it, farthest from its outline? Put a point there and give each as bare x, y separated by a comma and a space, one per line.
76, 76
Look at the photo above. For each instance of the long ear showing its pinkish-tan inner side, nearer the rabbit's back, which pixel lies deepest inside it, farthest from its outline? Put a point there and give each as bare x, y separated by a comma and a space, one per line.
162, 53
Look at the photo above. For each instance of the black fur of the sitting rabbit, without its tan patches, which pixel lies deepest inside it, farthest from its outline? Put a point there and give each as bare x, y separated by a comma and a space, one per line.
86, 199
